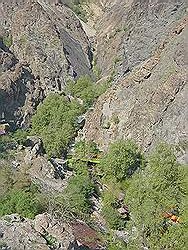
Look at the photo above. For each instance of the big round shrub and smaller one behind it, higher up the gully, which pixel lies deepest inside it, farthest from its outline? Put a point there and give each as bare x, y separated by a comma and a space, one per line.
56, 119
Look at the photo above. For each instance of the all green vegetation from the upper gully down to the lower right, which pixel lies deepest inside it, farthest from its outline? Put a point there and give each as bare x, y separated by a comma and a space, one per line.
151, 186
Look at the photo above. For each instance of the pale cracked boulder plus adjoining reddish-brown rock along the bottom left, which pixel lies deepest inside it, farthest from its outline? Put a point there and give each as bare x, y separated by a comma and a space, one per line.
44, 233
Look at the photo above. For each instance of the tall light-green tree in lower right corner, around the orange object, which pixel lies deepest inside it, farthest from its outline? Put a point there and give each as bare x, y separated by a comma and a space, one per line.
152, 192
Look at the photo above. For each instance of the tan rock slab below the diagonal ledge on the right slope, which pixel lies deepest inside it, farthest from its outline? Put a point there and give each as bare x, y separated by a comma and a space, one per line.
150, 103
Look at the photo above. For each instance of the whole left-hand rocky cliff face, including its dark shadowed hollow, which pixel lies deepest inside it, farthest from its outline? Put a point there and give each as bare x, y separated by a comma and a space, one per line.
50, 41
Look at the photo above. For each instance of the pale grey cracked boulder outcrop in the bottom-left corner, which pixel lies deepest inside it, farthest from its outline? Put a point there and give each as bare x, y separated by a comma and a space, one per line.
26, 234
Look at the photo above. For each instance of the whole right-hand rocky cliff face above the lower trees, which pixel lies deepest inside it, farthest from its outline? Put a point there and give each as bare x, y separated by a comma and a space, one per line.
148, 102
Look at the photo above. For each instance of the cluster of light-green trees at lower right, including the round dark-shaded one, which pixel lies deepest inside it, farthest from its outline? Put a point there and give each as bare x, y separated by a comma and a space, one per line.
153, 185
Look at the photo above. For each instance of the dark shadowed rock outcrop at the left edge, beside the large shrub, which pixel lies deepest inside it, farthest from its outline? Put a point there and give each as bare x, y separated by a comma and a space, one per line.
19, 92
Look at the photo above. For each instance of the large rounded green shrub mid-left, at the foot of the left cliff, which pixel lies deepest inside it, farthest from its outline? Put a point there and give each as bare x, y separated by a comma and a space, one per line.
56, 122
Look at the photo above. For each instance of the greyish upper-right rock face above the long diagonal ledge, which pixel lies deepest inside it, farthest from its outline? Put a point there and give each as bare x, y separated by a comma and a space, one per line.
130, 30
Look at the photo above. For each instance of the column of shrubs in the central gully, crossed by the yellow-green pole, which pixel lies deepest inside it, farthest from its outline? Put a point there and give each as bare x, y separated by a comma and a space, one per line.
76, 198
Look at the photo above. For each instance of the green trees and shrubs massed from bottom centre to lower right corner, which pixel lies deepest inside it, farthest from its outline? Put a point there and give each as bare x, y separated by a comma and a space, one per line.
152, 186
